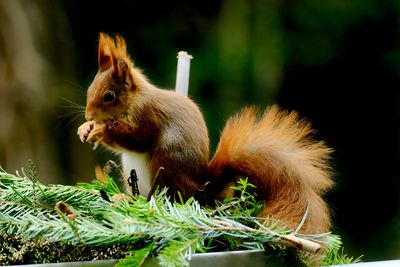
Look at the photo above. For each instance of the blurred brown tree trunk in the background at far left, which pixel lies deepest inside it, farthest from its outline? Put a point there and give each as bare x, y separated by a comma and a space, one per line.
34, 52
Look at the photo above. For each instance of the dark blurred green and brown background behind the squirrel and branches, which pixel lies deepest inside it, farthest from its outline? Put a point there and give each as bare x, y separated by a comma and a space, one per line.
335, 61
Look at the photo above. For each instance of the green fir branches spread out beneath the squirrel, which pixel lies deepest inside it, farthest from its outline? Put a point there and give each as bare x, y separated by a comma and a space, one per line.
76, 219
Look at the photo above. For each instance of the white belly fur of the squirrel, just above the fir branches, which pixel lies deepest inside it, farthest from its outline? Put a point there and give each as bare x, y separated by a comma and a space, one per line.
139, 162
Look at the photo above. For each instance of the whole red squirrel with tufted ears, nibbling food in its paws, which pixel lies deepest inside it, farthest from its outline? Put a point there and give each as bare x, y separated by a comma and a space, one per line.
153, 128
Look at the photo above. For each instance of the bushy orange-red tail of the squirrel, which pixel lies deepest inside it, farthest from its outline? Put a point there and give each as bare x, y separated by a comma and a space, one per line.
276, 152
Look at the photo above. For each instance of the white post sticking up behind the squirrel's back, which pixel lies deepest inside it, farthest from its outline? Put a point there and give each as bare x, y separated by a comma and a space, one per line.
182, 73
